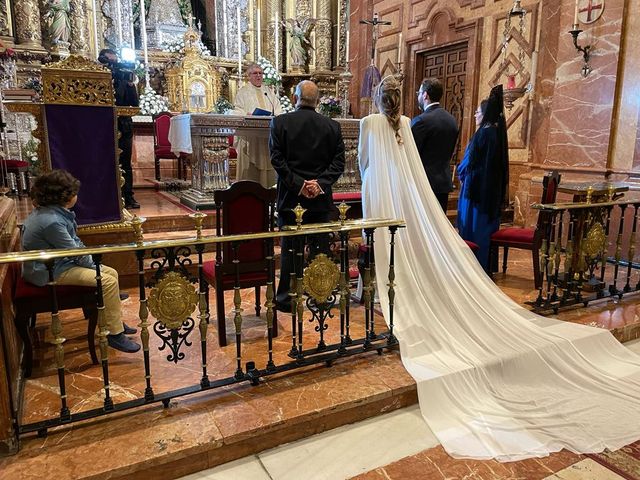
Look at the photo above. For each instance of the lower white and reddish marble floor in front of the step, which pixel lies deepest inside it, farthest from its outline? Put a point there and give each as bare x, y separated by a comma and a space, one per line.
408, 450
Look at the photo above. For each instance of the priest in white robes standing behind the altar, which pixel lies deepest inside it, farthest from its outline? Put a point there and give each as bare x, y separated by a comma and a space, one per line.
255, 98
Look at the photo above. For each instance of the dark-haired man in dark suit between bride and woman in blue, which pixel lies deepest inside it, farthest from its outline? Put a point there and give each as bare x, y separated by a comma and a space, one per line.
436, 133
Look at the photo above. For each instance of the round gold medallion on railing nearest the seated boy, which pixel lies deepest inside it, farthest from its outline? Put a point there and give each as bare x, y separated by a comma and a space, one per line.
172, 300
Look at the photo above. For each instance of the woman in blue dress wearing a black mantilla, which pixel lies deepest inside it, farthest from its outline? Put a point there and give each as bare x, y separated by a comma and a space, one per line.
484, 176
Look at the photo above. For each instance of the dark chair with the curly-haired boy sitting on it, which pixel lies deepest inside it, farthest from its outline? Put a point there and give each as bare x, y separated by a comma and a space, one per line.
29, 300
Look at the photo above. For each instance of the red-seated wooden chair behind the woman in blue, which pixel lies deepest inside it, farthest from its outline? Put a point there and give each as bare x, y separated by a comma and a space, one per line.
526, 238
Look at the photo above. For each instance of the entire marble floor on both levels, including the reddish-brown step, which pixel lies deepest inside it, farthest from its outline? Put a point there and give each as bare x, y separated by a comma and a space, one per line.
254, 424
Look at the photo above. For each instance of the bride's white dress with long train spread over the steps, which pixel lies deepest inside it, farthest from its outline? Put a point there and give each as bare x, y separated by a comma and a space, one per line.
494, 380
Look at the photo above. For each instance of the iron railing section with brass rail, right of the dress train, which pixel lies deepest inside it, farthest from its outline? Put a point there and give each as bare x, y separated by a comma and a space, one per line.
588, 252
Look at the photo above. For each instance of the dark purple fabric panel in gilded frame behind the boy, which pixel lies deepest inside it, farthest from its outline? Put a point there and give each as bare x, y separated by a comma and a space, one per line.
82, 141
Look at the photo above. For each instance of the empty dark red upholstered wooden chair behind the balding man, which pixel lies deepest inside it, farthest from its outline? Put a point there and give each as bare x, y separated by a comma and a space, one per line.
244, 207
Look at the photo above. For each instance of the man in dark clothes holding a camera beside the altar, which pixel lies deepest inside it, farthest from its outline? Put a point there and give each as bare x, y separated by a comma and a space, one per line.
126, 96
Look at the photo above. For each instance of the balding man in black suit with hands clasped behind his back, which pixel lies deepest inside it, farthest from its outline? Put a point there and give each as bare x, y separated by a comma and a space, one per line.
307, 152
